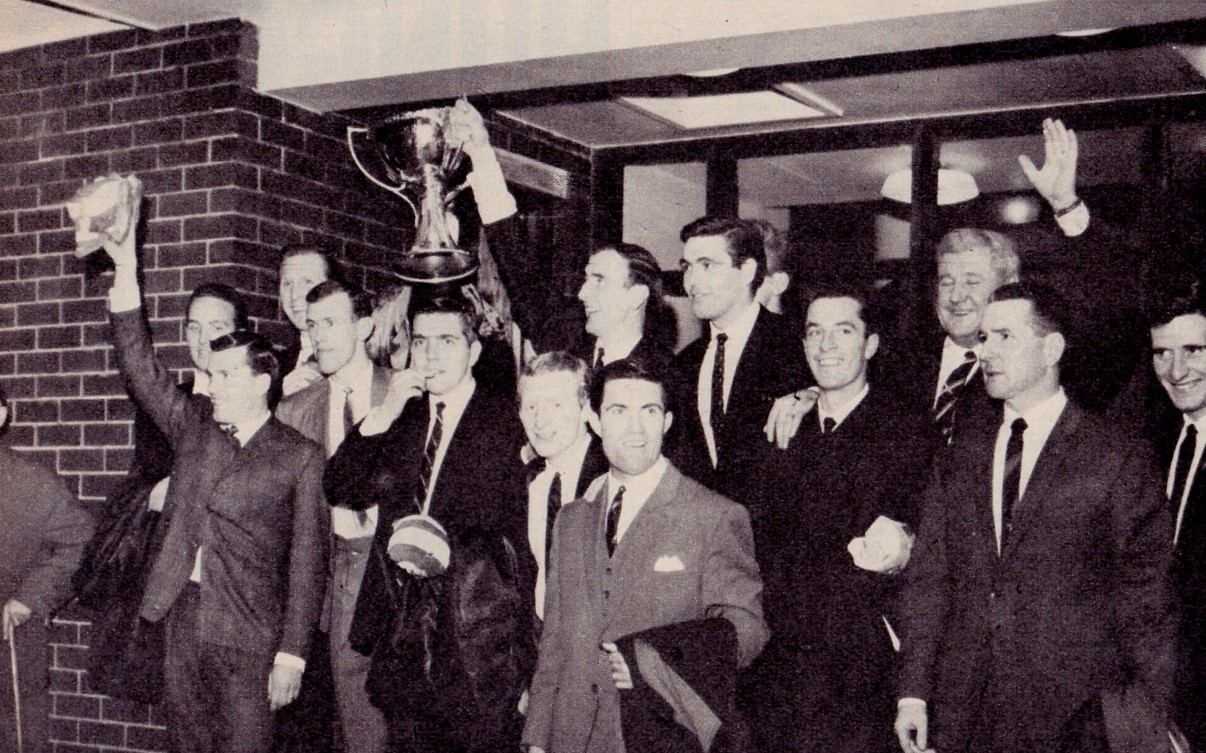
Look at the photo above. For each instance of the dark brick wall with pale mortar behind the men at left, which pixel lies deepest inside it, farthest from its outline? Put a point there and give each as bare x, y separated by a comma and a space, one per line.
231, 176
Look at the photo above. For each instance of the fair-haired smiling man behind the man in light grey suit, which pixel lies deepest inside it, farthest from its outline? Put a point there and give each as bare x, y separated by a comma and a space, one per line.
555, 408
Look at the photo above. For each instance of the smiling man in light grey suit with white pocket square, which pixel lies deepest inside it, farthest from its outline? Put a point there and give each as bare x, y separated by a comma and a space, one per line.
646, 548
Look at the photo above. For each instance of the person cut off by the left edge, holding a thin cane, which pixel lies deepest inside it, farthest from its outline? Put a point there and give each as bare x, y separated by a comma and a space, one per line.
42, 541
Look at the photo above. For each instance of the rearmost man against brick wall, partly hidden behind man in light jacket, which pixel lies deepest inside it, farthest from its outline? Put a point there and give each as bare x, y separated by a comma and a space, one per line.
302, 268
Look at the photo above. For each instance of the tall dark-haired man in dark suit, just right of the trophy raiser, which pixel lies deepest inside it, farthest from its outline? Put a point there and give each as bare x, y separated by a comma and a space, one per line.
729, 378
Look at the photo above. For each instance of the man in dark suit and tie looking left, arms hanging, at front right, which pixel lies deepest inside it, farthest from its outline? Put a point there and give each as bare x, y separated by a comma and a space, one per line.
1039, 587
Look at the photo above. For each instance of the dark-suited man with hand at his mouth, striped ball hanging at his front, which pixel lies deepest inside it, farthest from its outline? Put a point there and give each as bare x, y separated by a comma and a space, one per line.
441, 447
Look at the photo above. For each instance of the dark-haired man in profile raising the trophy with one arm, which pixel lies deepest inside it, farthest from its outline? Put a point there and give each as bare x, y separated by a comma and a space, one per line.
625, 312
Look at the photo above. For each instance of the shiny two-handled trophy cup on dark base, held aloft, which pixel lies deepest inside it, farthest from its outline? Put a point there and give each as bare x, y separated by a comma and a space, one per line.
409, 156
